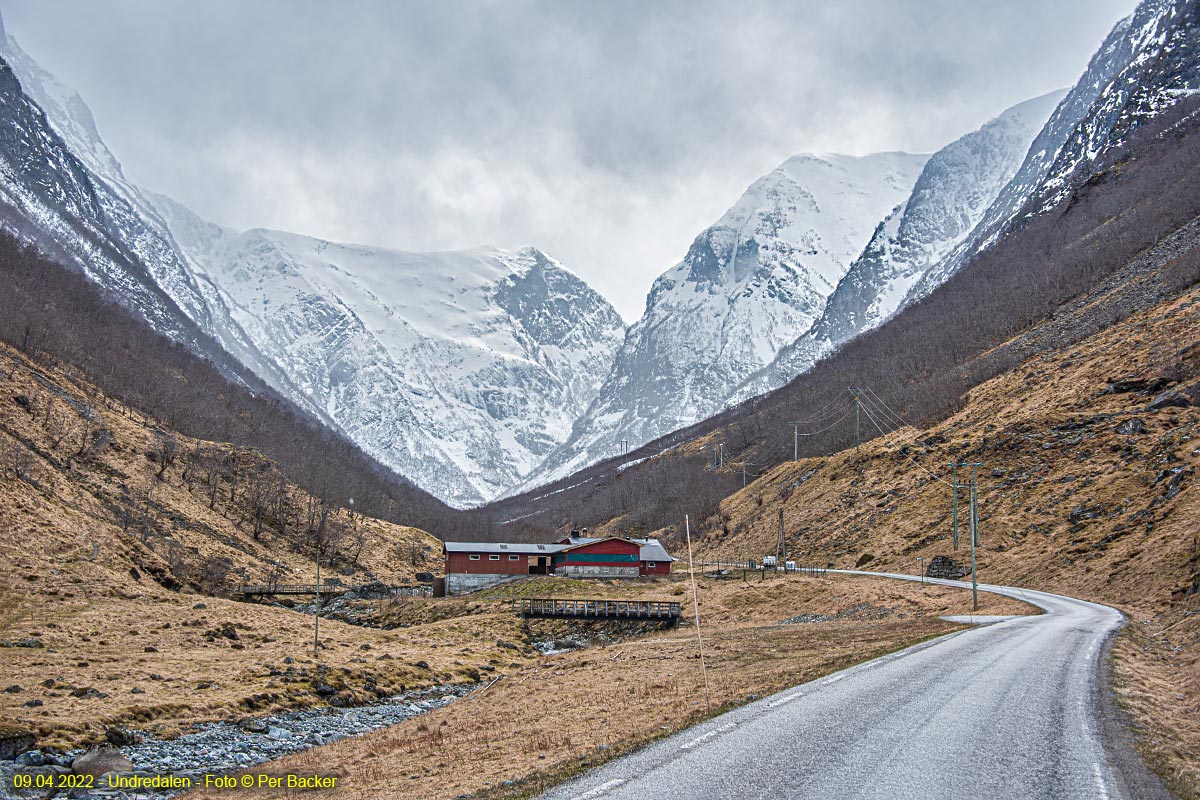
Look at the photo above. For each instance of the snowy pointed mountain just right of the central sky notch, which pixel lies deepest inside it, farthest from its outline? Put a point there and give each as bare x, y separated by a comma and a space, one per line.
749, 285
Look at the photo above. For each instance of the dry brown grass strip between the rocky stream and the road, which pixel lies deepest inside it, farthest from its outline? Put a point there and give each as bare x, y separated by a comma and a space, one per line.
550, 719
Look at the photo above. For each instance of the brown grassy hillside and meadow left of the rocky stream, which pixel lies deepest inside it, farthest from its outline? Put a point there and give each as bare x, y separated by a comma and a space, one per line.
118, 539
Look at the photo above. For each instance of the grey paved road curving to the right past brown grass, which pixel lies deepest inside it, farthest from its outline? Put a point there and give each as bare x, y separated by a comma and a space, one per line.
1003, 712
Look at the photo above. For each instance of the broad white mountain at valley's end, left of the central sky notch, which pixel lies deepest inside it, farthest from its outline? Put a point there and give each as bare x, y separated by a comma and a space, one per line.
461, 371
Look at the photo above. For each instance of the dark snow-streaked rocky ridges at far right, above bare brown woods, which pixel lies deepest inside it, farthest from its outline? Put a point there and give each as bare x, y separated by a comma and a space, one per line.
1148, 63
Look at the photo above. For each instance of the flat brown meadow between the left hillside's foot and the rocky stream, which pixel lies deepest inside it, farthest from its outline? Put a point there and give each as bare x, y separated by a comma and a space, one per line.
193, 678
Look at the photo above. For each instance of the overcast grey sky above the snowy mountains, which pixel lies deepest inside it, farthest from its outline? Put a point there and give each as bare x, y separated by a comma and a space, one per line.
608, 134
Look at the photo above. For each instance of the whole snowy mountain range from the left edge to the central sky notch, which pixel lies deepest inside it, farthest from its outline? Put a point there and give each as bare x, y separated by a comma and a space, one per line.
461, 371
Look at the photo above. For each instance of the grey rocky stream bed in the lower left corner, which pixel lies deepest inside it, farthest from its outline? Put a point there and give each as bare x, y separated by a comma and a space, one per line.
223, 748
